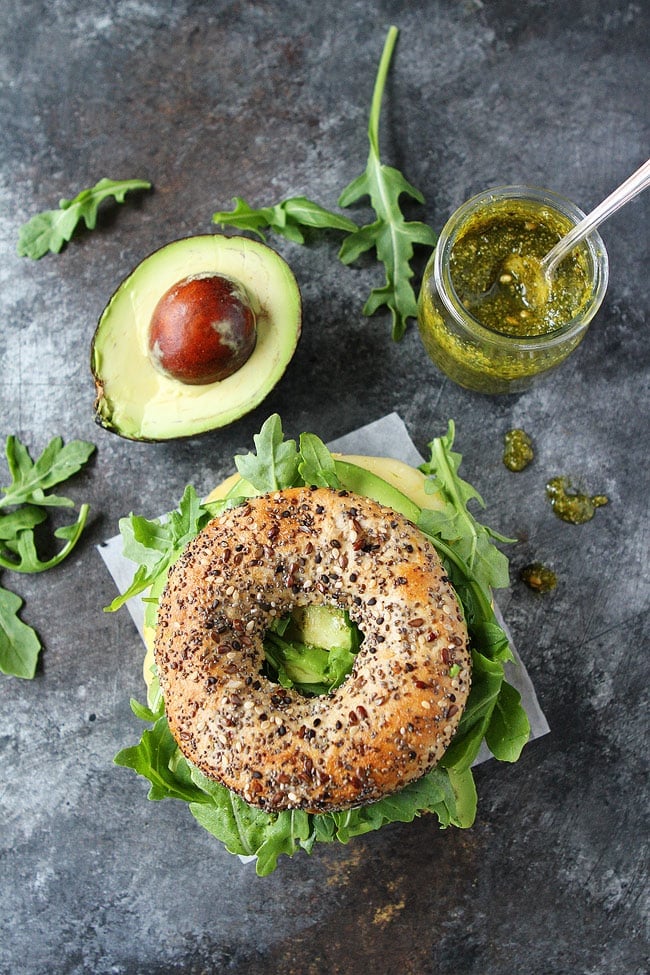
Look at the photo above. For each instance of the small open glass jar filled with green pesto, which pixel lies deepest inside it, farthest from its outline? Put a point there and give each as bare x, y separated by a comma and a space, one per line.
477, 241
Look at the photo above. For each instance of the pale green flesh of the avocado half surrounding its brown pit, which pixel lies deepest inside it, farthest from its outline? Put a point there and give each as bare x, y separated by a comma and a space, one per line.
135, 400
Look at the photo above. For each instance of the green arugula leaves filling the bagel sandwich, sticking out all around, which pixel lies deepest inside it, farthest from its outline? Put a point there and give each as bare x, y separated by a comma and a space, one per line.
493, 713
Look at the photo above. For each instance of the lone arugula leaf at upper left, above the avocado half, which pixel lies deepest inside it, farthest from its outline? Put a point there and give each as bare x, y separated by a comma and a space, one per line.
49, 230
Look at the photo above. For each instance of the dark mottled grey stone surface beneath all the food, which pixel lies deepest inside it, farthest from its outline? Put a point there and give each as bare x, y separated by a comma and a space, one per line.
265, 100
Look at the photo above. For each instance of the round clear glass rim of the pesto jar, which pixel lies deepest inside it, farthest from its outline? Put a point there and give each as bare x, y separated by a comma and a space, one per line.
464, 318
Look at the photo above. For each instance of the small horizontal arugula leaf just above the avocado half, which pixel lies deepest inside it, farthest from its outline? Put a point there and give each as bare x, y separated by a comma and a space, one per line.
285, 218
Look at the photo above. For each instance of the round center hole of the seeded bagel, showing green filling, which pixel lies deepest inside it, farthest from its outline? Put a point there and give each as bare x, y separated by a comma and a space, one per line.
311, 650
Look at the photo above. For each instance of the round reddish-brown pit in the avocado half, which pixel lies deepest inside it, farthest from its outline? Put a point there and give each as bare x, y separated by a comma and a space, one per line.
202, 330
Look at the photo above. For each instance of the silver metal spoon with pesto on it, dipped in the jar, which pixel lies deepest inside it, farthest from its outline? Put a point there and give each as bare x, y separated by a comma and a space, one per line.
538, 274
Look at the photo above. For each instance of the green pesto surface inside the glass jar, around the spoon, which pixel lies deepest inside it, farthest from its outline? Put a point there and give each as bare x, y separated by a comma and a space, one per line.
495, 270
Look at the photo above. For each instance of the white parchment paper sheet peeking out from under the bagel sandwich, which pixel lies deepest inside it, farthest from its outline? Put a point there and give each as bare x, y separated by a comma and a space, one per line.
386, 437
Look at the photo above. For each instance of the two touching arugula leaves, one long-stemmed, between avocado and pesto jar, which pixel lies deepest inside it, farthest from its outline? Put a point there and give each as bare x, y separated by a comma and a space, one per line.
389, 234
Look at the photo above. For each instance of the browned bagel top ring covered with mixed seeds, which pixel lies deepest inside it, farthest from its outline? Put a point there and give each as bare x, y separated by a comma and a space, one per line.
392, 719
